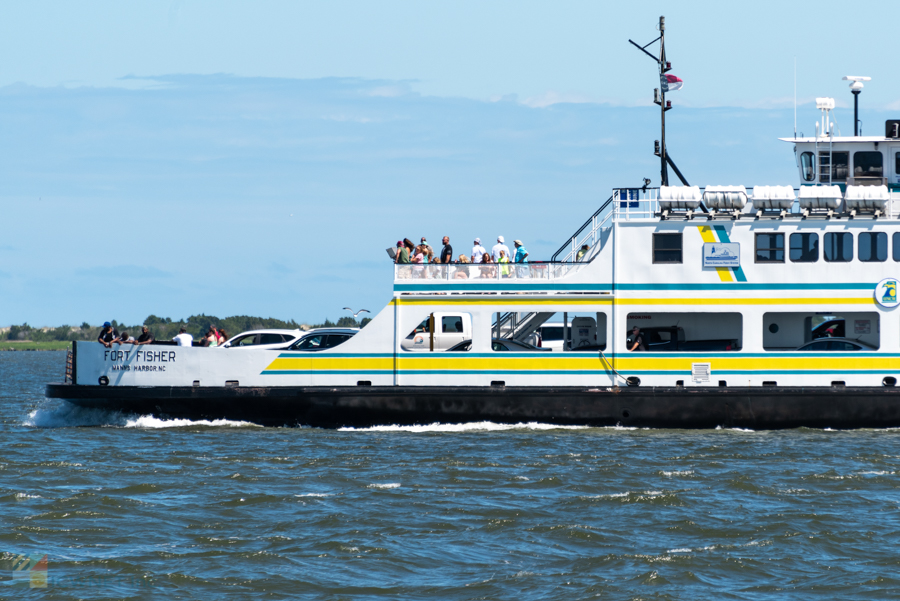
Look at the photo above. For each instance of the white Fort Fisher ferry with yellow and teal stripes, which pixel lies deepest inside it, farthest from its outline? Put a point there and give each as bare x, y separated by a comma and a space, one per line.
730, 286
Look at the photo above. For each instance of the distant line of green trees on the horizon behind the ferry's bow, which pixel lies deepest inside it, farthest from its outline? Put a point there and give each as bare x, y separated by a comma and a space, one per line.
164, 328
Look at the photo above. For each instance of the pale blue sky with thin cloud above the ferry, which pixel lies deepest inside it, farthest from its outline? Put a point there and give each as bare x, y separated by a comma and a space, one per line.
257, 158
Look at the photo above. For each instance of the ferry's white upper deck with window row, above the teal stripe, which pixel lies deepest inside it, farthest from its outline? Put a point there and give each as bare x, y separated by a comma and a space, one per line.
819, 235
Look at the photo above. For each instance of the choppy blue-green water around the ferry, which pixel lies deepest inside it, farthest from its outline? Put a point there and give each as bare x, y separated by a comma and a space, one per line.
134, 507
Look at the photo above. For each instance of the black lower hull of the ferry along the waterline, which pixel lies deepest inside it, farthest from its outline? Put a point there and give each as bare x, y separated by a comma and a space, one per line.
360, 406
